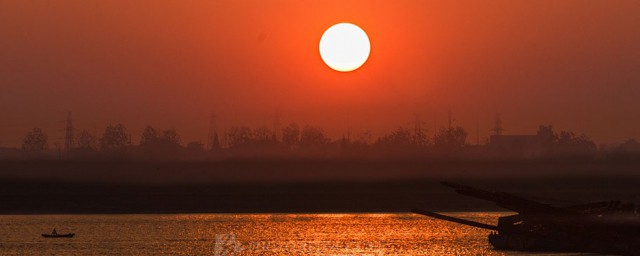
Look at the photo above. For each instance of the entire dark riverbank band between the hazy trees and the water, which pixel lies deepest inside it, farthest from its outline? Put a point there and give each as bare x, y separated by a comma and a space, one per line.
302, 185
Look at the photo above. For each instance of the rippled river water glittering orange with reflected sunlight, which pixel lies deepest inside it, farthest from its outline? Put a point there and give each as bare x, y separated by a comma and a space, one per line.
247, 234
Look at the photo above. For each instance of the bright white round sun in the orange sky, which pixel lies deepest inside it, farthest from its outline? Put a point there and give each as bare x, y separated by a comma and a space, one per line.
344, 47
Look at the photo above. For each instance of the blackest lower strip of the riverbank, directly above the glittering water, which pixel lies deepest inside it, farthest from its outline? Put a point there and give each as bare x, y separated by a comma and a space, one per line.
31, 197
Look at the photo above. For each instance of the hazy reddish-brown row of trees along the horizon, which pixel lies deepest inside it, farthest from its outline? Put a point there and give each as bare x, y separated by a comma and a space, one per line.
304, 141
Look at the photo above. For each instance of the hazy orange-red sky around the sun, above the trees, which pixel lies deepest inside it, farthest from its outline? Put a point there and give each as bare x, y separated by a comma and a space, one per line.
572, 64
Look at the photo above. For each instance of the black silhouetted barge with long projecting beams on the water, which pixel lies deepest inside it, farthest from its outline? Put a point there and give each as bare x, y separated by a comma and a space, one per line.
608, 227
